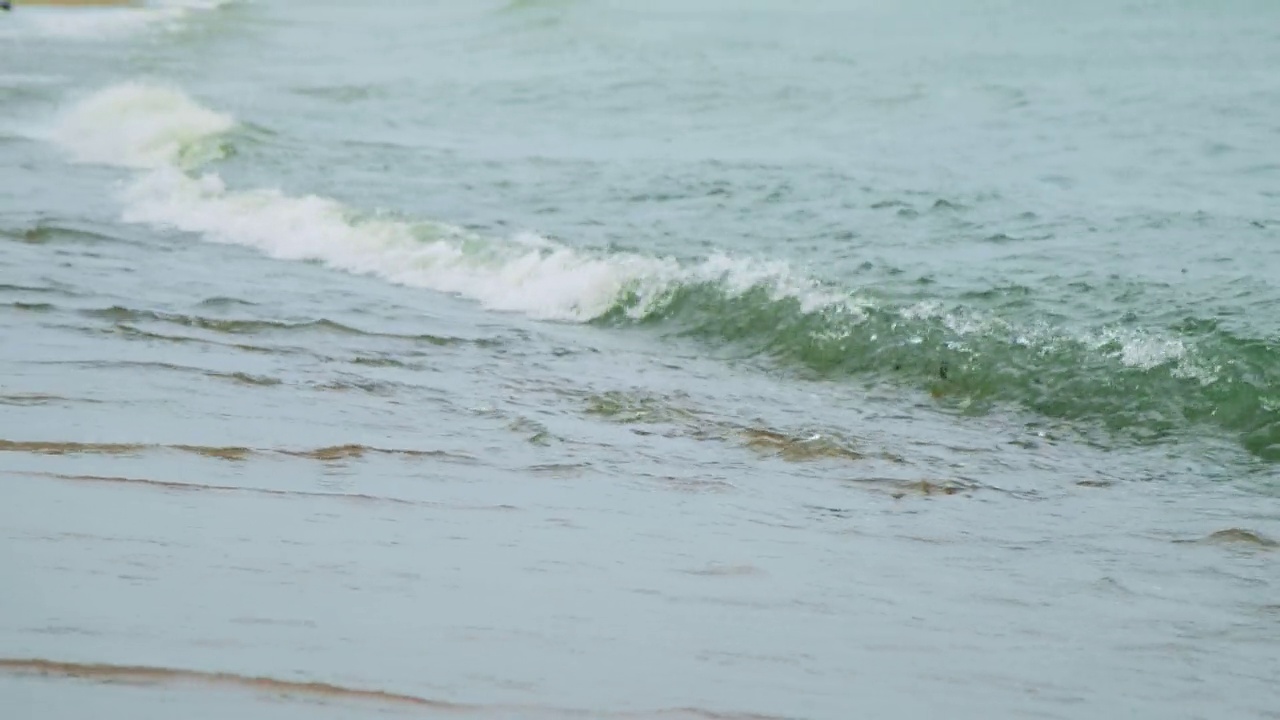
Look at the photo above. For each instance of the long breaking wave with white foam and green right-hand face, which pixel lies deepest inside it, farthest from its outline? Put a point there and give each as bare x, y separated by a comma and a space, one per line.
1150, 385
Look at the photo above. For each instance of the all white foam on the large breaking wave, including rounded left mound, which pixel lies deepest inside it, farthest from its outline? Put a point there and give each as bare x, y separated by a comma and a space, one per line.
164, 135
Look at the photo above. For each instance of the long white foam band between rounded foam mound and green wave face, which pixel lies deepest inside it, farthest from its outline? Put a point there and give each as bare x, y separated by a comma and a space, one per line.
546, 281
